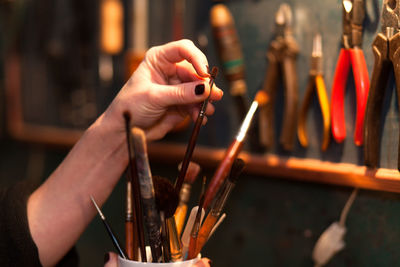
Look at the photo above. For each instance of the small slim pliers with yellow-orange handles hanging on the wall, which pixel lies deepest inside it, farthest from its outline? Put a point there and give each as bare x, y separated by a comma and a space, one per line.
315, 82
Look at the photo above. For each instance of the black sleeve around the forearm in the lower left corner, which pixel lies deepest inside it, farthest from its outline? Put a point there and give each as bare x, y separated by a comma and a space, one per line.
16, 244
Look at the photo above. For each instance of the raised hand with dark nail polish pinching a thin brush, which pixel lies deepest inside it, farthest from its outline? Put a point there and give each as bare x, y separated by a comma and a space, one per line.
162, 91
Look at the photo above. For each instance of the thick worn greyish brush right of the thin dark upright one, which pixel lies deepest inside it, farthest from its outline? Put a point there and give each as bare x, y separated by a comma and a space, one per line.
151, 216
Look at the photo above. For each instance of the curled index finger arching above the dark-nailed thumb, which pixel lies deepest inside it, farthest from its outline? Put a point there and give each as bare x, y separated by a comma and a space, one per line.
178, 51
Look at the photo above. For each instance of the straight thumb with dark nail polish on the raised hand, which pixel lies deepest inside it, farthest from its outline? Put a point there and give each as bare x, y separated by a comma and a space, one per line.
182, 94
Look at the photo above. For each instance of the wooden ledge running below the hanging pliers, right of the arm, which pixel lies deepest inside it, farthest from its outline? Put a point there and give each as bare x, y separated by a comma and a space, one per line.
309, 170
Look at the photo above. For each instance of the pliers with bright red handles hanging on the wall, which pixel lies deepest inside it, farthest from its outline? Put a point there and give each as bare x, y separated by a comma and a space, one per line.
350, 53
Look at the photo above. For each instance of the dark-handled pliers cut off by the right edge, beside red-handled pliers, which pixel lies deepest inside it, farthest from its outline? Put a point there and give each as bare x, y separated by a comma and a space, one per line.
386, 48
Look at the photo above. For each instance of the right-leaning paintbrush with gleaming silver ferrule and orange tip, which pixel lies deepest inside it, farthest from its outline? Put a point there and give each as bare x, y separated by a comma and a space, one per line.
233, 151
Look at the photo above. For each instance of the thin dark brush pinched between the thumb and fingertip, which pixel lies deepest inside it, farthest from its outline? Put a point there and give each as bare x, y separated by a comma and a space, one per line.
195, 133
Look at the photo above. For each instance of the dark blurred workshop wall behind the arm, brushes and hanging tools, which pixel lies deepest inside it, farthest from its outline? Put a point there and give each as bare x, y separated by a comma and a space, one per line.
62, 62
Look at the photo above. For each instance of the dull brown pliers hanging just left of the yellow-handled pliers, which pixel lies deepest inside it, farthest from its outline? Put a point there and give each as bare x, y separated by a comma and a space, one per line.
281, 54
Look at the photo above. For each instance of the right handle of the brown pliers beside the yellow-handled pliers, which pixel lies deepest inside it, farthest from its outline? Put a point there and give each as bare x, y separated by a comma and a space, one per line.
291, 102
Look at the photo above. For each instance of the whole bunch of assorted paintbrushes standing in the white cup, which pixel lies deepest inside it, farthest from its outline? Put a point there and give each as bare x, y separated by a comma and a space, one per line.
156, 209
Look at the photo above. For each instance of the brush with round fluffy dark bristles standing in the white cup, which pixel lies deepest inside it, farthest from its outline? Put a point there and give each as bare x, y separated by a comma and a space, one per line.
166, 200
